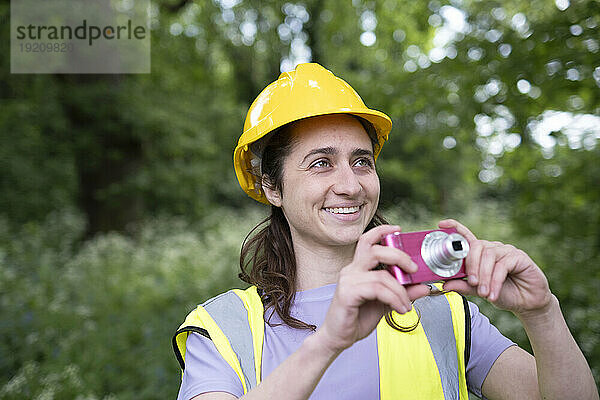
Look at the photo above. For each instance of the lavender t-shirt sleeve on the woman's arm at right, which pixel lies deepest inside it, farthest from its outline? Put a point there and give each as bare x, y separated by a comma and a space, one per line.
487, 343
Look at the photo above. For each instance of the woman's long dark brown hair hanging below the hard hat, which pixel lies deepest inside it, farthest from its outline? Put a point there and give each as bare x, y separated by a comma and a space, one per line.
267, 258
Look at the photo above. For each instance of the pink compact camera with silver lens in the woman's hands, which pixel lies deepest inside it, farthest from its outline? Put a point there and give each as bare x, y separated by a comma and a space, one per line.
439, 255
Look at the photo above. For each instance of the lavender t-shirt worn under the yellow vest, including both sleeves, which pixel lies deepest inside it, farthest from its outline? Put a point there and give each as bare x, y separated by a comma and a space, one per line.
354, 374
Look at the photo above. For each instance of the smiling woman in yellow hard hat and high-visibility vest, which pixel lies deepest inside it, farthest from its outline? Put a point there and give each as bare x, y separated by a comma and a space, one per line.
312, 325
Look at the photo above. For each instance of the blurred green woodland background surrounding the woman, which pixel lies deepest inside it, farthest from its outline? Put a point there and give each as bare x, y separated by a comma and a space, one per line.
119, 207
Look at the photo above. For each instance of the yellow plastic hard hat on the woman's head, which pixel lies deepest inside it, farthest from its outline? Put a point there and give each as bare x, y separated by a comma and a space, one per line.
308, 91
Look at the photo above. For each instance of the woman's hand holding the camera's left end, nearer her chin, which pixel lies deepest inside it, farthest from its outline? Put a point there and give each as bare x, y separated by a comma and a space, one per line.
364, 295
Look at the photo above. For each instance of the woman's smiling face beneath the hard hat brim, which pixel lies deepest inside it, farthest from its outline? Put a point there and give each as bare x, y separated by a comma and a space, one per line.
330, 189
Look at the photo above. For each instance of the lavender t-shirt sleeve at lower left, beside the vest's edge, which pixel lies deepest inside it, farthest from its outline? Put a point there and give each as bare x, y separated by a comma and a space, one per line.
206, 370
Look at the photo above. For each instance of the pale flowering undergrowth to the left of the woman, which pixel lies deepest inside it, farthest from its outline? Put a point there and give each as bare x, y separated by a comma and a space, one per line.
94, 320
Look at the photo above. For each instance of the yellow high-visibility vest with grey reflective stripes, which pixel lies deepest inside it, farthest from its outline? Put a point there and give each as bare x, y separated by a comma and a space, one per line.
425, 363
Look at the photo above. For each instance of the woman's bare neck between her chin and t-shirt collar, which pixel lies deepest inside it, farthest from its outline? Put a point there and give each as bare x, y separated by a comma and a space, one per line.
318, 266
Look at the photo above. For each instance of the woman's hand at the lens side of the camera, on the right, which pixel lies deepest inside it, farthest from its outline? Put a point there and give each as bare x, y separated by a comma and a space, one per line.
501, 273
